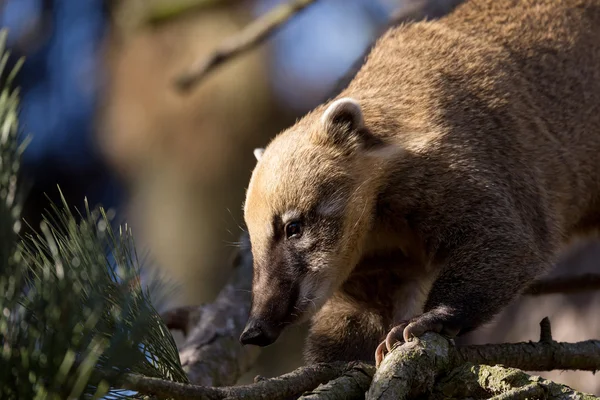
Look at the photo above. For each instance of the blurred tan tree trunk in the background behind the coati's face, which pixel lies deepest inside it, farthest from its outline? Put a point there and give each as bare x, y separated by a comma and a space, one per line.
187, 159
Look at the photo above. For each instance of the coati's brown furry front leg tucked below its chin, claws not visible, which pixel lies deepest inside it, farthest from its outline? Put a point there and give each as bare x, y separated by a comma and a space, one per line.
344, 330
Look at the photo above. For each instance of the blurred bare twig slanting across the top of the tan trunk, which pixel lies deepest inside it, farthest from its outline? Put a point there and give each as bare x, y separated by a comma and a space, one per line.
251, 36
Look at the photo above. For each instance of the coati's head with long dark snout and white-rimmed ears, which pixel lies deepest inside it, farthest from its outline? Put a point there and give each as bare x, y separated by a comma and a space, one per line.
310, 201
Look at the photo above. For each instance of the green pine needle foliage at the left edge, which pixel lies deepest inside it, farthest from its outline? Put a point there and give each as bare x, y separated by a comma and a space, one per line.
73, 314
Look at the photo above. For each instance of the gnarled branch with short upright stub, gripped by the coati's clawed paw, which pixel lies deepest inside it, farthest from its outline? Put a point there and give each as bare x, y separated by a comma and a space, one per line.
412, 369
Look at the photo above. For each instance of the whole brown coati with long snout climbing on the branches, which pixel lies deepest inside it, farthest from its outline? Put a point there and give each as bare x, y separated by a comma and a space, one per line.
443, 180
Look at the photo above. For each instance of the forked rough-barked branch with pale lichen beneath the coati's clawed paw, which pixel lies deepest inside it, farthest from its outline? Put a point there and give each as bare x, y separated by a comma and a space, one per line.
412, 370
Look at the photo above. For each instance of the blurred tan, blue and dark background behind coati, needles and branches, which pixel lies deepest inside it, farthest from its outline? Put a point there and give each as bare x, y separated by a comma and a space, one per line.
106, 124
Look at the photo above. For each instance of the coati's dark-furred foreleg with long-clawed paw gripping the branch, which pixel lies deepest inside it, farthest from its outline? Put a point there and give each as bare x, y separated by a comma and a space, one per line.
478, 280
